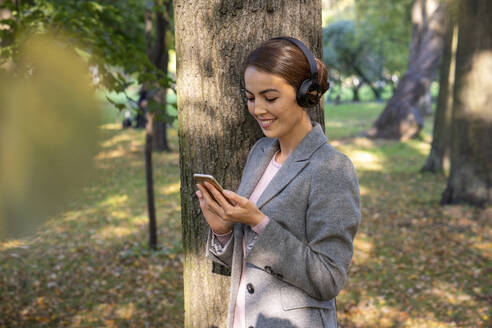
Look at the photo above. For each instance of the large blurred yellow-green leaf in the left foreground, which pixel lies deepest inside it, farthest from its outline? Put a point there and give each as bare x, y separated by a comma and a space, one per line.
49, 121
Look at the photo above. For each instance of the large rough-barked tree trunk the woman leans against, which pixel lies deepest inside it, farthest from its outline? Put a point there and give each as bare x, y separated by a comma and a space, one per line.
213, 39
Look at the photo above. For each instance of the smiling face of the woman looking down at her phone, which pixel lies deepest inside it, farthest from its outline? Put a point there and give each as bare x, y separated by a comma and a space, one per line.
272, 102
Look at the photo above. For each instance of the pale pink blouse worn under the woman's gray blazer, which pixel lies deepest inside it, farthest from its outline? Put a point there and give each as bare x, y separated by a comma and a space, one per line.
239, 309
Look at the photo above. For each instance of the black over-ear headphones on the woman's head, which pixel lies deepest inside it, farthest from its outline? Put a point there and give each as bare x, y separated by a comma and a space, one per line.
309, 93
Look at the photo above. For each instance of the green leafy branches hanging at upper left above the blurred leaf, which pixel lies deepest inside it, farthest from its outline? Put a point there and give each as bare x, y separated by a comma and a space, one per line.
109, 35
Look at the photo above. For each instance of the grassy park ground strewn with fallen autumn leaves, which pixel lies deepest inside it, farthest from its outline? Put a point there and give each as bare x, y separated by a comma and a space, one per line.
416, 264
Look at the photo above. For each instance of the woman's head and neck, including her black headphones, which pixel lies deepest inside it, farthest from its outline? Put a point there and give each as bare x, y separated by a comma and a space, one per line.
282, 80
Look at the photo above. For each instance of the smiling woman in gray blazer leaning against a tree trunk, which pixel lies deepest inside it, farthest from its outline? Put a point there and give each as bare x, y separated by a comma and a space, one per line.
288, 237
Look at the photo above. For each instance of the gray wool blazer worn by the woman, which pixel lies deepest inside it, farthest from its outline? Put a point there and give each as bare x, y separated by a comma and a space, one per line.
299, 263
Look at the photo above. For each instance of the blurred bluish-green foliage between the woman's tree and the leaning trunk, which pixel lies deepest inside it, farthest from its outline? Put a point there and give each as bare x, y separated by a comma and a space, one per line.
366, 40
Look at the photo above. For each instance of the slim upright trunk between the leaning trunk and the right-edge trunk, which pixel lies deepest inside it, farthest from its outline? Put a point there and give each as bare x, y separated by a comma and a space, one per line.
438, 158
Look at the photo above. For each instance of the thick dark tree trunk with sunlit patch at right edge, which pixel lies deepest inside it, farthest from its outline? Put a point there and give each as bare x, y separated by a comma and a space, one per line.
470, 179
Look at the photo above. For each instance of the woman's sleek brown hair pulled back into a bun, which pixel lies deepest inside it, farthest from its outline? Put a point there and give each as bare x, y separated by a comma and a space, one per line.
285, 59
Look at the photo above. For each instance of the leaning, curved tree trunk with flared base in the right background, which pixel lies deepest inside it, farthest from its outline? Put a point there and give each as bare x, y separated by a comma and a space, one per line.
402, 118
